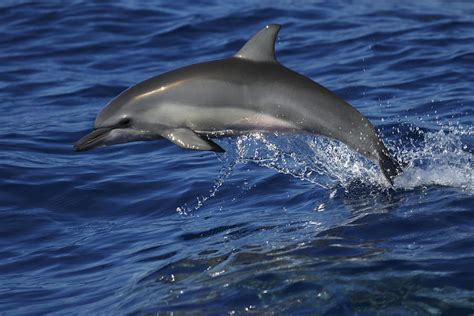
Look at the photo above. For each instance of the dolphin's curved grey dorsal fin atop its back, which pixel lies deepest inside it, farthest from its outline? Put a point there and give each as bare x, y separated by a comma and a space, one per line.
261, 47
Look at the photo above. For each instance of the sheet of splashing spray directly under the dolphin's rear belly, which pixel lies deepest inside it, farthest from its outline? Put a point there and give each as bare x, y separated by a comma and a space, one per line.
324, 162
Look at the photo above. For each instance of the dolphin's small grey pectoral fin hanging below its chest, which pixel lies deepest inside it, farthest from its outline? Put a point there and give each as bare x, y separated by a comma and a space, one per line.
188, 139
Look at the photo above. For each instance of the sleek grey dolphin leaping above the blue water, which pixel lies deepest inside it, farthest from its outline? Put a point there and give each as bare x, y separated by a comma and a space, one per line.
248, 92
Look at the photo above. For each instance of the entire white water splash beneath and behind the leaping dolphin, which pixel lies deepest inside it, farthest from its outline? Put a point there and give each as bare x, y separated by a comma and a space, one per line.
433, 158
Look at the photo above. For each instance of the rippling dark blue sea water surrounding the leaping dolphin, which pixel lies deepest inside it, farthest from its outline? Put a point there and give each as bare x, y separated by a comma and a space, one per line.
277, 224
